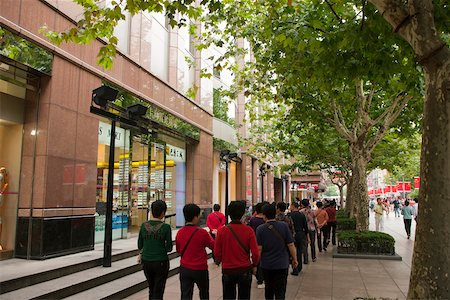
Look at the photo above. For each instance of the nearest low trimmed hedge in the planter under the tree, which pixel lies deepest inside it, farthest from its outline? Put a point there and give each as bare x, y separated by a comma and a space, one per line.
365, 242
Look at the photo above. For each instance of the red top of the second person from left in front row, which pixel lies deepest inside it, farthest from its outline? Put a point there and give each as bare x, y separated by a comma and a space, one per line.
195, 257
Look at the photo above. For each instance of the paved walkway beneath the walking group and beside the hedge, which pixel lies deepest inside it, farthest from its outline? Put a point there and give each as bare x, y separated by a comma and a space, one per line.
332, 278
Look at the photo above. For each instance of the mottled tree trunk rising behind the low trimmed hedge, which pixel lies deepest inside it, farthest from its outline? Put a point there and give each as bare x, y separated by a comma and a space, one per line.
359, 190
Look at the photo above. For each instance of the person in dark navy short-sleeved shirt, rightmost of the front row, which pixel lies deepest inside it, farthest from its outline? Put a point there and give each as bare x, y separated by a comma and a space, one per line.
276, 243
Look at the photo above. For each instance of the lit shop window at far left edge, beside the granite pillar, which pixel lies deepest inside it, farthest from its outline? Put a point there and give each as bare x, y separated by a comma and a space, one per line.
14, 83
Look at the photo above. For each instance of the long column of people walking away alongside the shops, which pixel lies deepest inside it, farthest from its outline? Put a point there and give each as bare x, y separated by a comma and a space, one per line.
266, 247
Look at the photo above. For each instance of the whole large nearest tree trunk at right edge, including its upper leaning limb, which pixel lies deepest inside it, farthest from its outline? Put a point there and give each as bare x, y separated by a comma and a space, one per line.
430, 271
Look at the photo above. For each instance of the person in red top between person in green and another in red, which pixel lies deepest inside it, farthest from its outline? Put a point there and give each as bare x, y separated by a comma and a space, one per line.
191, 242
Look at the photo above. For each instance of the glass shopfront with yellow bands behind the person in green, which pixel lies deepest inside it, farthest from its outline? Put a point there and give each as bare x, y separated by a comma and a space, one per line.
145, 170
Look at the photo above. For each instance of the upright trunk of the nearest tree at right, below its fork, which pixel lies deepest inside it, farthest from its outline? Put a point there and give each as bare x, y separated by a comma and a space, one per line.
430, 272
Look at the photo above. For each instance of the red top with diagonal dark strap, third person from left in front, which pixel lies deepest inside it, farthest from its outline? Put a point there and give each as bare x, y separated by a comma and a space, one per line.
230, 253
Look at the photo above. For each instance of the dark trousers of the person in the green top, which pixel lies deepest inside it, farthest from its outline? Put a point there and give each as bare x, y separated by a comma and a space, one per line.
156, 274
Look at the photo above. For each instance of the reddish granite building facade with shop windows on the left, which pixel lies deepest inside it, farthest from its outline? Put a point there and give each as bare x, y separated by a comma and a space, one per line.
56, 152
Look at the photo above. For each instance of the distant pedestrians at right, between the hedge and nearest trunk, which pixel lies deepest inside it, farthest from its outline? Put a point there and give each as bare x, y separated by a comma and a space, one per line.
401, 207
